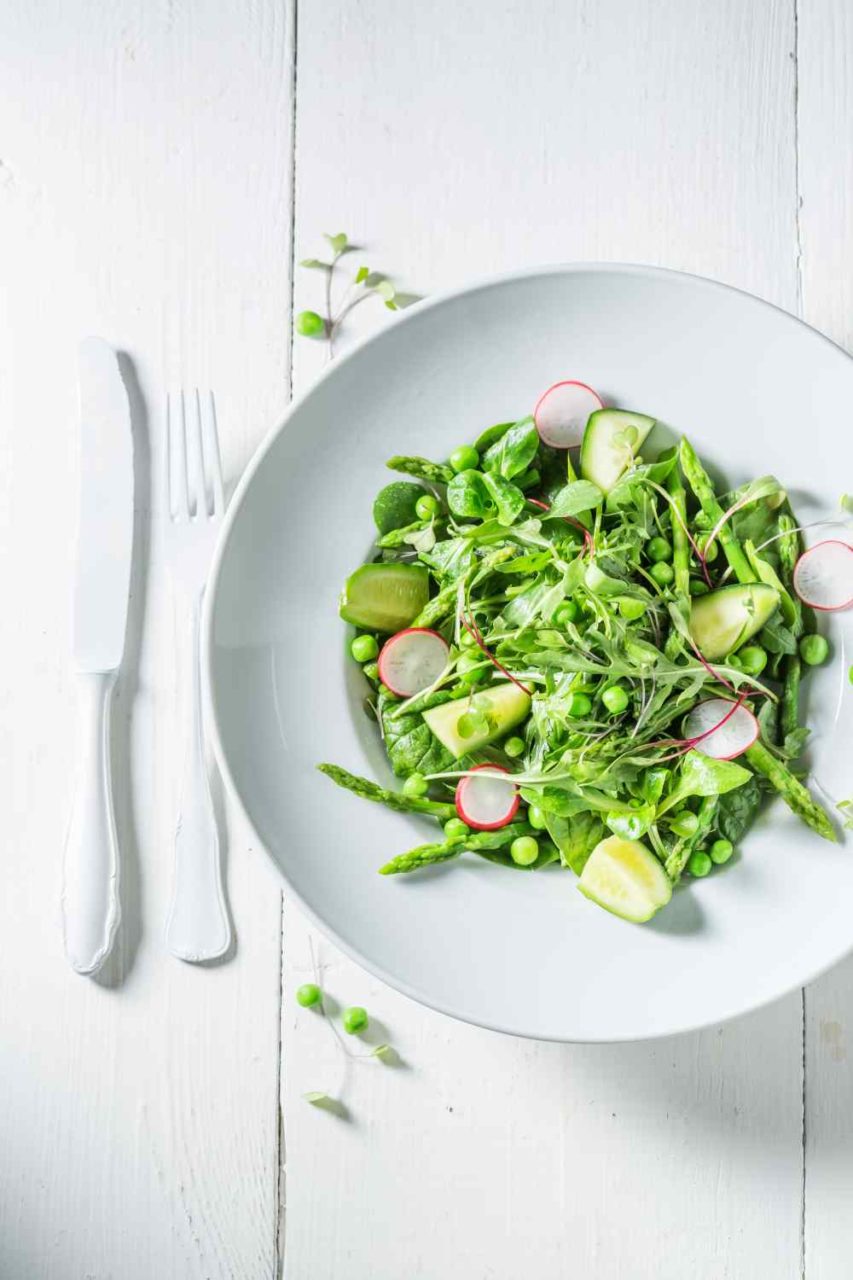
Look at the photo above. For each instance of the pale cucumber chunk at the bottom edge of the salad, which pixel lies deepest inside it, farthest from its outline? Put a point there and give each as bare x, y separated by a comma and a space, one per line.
626, 879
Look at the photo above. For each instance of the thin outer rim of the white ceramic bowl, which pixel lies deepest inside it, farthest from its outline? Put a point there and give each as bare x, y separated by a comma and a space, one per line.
477, 285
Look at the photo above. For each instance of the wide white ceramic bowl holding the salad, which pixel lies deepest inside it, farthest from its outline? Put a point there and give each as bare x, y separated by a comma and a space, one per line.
758, 392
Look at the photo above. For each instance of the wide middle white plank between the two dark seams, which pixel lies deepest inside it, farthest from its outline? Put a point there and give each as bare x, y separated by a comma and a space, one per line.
455, 144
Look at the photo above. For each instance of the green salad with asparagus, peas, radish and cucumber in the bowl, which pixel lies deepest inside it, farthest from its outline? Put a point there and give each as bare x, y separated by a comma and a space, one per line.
582, 652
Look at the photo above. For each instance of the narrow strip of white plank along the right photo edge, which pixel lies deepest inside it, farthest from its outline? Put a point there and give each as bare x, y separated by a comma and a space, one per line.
825, 63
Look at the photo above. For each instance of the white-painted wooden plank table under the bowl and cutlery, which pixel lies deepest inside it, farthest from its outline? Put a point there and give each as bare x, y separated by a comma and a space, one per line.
162, 166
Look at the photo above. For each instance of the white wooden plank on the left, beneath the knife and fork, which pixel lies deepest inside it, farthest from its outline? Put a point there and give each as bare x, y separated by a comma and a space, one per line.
145, 196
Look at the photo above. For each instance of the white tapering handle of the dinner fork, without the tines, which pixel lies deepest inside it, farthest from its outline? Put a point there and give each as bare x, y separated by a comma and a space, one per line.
198, 927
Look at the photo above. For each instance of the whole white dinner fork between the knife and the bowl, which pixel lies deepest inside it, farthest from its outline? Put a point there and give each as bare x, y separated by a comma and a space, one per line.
198, 927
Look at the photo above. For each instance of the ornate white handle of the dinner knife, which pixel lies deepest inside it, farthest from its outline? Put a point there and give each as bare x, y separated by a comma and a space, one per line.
92, 876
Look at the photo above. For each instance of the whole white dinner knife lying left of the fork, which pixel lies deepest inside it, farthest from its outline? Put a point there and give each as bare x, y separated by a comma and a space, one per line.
92, 908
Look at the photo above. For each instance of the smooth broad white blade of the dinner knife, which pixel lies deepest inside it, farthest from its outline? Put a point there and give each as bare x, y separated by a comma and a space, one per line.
106, 527
